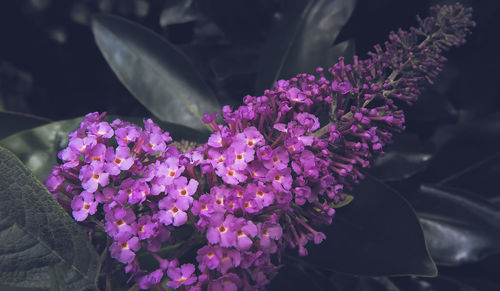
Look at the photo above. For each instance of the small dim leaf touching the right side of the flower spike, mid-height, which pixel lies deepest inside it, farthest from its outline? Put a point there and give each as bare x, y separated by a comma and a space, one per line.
403, 159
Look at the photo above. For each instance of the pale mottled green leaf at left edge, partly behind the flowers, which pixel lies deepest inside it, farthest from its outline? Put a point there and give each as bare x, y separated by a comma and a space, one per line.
37, 148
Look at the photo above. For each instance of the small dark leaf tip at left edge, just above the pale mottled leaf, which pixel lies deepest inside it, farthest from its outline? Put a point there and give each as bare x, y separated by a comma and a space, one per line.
14, 122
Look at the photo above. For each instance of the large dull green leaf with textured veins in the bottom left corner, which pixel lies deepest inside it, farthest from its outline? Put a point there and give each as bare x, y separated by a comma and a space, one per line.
39, 239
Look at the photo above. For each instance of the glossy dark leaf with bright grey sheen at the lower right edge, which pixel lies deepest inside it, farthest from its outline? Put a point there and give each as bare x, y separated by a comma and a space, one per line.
460, 227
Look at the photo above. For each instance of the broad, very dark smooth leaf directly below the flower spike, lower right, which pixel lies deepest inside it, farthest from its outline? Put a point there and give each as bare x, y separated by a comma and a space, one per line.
378, 234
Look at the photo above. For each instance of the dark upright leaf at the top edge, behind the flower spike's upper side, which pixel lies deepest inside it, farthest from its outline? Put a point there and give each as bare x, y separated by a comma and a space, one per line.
303, 40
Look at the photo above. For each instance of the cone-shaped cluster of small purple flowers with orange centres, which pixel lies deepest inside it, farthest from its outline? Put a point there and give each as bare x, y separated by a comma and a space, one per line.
265, 180
